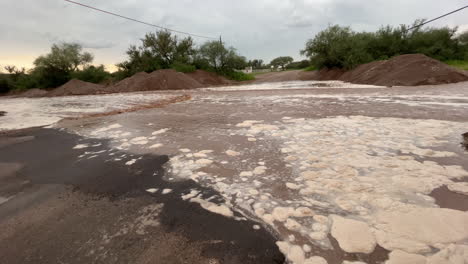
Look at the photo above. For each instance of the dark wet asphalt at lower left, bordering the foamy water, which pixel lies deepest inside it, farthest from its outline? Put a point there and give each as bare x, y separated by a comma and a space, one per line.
95, 211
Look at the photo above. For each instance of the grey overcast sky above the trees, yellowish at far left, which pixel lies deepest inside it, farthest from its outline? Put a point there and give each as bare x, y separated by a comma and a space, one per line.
262, 29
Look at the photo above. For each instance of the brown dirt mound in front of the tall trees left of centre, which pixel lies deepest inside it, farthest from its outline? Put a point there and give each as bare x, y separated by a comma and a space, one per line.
157, 80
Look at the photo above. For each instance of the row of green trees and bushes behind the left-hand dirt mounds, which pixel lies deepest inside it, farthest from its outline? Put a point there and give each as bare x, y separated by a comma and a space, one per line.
160, 50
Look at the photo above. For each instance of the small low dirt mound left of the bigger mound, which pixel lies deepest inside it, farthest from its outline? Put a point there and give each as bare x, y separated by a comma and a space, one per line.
77, 87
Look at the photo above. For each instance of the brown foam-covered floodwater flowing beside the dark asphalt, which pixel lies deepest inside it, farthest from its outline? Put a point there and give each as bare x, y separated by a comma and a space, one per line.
374, 153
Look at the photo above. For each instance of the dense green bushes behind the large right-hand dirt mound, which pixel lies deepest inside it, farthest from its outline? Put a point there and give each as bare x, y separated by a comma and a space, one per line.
342, 47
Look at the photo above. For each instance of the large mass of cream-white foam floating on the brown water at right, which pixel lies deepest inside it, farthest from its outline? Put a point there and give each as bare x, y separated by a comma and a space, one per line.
374, 172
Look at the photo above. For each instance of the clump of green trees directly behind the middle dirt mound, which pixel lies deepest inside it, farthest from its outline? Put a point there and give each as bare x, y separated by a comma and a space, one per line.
162, 50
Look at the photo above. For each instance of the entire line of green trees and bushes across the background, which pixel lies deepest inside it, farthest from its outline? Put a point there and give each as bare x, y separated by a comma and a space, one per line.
335, 46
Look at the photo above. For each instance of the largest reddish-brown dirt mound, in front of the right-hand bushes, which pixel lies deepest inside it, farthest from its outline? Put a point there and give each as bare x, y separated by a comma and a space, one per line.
404, 70
